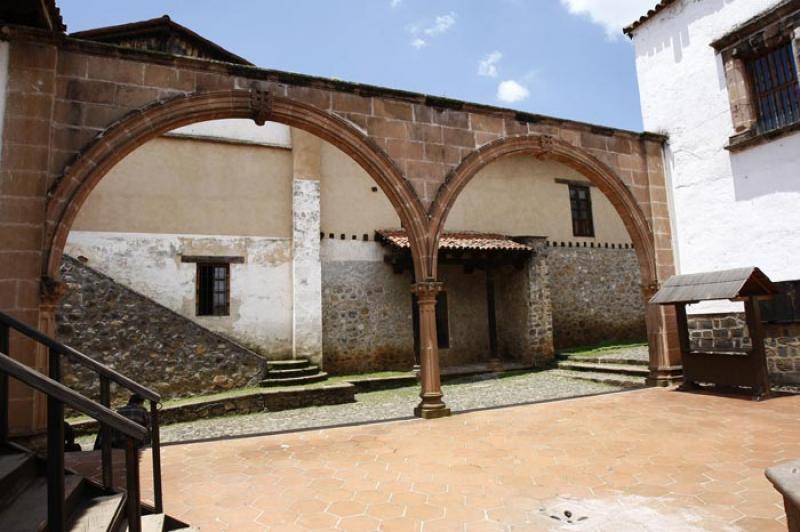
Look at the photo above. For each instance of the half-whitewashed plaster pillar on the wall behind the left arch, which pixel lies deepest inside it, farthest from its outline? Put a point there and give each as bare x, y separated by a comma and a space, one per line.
306, 266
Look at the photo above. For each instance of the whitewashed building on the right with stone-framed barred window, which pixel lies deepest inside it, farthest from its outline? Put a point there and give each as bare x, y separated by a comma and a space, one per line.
720, 80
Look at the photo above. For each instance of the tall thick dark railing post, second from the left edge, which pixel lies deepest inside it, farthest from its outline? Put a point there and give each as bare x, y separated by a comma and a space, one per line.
56, 518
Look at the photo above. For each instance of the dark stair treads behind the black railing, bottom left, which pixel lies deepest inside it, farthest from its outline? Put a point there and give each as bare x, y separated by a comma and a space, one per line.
88, 507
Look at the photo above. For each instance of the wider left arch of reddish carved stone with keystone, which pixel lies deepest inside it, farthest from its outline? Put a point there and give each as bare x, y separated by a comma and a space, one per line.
142, 125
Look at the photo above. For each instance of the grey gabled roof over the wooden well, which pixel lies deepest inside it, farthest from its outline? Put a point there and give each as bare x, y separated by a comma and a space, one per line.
733, 284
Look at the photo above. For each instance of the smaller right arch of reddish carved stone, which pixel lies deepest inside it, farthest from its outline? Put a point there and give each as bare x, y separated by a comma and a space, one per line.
546, 147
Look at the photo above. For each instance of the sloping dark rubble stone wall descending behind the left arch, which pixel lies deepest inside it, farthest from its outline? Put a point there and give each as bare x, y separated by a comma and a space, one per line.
144, 341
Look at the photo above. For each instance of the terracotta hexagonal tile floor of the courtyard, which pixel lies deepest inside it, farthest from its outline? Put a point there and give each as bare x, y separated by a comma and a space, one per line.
652, 459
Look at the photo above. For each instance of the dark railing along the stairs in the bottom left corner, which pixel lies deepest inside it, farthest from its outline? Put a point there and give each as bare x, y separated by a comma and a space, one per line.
57, 396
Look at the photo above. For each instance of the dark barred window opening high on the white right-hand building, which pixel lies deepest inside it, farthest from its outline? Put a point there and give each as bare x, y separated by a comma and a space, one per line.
775, 87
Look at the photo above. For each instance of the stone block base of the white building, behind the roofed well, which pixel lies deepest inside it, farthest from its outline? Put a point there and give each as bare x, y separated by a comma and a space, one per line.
728, 332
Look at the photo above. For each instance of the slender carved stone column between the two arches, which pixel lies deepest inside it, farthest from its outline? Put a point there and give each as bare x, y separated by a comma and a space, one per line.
431, 406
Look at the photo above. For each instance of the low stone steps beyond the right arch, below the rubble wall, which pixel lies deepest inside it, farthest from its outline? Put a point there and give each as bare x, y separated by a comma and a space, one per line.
612, 369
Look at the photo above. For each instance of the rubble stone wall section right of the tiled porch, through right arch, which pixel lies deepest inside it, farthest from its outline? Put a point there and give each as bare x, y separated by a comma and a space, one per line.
596, 296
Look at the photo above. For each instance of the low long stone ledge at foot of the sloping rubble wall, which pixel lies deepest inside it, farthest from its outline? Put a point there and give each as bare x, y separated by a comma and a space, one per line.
267, 400
